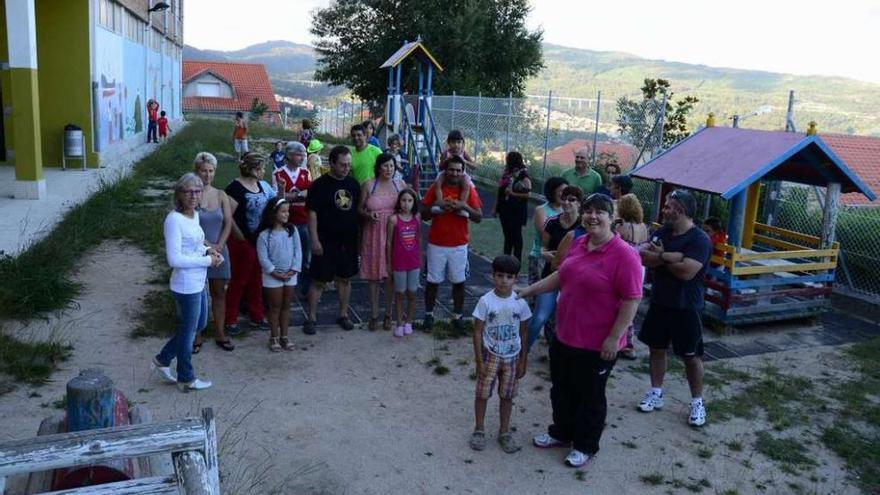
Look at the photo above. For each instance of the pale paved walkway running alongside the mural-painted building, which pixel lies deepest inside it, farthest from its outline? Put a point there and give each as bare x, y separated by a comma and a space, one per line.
23, 221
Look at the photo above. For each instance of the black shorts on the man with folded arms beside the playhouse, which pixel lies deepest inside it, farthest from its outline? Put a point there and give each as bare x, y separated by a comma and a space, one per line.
682, 327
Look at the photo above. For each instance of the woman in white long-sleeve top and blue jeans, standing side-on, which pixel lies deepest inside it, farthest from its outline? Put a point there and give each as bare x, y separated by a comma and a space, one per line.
189, 258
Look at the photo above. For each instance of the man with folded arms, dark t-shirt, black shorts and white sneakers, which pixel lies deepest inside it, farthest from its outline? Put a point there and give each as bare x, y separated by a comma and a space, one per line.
678, 254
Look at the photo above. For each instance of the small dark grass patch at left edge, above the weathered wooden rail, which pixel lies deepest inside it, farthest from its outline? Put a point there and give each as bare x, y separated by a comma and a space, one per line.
31, 362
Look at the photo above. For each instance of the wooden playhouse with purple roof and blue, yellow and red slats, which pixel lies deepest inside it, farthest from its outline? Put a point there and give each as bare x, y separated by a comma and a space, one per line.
762, 273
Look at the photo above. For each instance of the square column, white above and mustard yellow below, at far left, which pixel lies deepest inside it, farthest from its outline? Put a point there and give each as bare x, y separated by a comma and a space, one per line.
21, 34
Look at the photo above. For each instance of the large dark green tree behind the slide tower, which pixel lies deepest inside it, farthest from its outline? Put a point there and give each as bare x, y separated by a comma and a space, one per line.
484, 46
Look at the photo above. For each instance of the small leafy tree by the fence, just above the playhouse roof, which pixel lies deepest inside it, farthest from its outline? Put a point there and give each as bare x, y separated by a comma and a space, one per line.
639, 120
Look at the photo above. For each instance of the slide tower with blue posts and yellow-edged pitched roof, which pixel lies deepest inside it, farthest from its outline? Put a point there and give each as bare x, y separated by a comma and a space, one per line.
415, 126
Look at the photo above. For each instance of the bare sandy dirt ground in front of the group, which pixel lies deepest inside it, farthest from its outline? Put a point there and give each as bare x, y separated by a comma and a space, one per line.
362, 413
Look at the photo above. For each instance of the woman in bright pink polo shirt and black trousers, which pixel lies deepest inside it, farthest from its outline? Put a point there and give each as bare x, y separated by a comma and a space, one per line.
600, 284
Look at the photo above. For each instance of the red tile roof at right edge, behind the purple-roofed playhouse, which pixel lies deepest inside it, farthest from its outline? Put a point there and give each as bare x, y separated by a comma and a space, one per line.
862, 155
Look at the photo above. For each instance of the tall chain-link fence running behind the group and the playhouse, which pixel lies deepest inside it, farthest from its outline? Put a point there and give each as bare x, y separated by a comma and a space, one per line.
549, 129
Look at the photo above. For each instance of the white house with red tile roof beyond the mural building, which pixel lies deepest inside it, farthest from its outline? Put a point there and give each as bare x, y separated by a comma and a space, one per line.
224, 88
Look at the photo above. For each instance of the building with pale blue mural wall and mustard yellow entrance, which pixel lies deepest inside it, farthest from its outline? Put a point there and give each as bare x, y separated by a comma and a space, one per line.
91, 63
